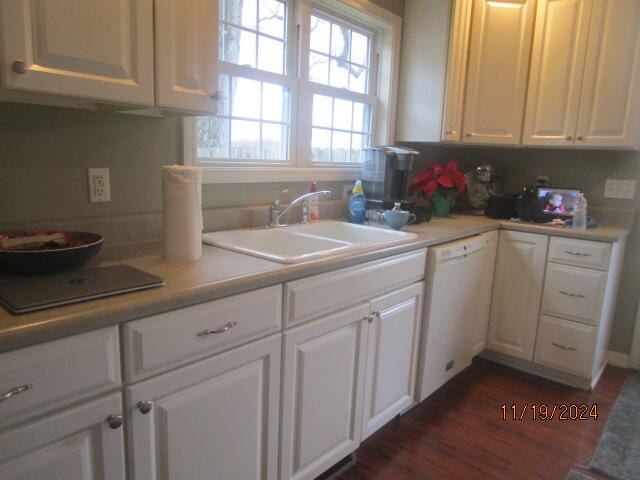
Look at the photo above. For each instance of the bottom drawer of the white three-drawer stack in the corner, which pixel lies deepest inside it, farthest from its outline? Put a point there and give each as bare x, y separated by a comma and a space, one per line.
566, 345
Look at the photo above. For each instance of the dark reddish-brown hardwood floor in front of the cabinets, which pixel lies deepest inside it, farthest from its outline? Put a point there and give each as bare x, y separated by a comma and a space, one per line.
459, 432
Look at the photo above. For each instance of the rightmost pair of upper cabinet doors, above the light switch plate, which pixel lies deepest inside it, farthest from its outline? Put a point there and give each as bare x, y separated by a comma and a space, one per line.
584, 88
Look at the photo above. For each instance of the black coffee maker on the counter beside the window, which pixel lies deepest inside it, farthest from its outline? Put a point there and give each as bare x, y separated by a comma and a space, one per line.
384, 174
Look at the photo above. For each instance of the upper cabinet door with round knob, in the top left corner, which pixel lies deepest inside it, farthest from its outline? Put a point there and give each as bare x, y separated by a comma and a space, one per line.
95, 49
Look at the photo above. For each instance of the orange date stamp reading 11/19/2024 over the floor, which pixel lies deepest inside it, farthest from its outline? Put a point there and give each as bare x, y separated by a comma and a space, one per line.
543, 411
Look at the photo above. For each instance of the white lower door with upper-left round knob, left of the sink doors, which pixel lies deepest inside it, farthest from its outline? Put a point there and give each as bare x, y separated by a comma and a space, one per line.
217, 418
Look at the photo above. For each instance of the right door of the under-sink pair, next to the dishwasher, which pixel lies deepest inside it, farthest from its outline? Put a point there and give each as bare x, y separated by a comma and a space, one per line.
392, 352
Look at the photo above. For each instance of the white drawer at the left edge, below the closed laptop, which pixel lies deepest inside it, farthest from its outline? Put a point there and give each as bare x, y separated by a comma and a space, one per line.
58, 372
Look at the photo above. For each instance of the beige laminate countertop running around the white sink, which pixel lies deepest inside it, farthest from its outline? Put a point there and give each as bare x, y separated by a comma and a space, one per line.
220, 273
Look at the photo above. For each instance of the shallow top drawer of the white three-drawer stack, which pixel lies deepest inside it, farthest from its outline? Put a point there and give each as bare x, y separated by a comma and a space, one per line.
581, 253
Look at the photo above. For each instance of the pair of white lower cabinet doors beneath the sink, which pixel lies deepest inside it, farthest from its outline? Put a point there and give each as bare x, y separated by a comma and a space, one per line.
345, 376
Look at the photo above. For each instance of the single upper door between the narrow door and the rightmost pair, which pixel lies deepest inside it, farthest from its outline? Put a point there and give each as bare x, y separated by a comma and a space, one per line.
501, 33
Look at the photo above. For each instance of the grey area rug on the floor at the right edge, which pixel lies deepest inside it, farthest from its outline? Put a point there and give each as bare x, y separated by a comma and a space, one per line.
618, 453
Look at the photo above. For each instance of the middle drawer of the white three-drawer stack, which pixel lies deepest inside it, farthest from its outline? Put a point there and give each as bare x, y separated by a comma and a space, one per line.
574, 293
